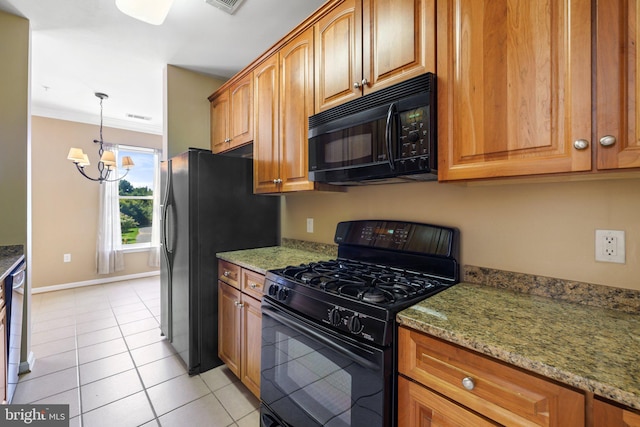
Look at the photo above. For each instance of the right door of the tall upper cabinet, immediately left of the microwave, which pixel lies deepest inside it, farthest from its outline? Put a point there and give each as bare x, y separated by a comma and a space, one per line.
296, 105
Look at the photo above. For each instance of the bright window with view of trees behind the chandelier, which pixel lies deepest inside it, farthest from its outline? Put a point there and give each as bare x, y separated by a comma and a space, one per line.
136, 197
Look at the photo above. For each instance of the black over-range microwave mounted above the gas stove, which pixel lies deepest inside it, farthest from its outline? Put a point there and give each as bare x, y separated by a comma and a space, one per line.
386, 136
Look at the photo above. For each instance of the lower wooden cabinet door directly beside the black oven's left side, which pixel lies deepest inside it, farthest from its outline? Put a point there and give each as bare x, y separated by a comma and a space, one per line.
251, 343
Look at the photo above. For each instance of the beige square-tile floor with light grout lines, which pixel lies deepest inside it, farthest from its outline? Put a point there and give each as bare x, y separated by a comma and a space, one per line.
99, 349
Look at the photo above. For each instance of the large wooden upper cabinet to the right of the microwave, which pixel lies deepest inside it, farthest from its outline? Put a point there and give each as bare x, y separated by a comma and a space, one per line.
515, 87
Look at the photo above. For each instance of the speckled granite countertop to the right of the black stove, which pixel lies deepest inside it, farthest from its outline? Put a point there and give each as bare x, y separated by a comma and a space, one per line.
591, 348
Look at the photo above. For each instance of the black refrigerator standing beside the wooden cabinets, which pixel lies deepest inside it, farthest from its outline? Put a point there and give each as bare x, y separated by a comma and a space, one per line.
208, 206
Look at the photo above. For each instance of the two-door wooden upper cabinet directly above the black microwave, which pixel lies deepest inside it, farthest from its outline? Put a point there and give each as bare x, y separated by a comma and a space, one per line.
366, 45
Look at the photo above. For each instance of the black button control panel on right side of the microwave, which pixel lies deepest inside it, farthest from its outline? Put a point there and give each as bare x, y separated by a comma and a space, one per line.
414, 133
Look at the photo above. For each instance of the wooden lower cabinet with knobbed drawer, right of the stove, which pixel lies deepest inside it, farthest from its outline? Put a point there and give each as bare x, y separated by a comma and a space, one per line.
442, 384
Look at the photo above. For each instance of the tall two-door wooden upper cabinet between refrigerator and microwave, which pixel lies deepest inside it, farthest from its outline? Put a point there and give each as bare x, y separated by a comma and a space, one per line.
282, 105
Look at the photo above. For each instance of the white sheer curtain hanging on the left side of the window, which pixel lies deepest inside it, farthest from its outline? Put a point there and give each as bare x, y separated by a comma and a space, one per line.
110, 257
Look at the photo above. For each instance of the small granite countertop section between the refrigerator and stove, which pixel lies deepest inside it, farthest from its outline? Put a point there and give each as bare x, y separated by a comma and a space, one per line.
263, 259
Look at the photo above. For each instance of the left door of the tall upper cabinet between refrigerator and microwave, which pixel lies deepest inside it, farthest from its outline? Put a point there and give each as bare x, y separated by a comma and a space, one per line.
266, 143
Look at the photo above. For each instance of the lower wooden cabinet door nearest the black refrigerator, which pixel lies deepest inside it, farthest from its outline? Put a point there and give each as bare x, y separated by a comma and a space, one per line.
229, 318
